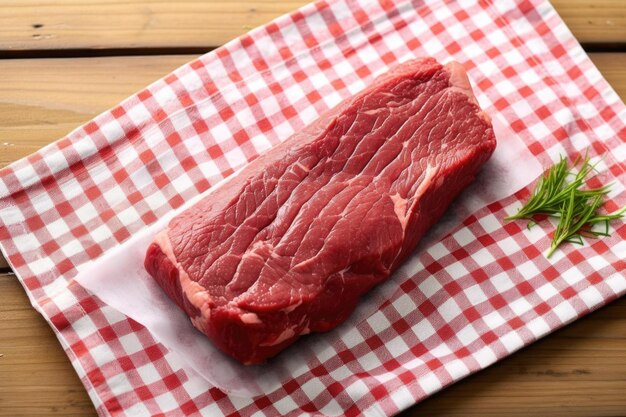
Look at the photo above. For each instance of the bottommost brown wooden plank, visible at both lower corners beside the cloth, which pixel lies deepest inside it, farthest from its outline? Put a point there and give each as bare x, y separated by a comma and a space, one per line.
578, 371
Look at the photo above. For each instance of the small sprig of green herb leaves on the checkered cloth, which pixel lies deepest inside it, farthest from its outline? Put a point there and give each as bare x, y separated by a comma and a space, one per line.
576, 209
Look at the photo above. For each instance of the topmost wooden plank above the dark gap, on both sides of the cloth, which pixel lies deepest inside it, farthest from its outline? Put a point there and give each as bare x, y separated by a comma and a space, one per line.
93, 24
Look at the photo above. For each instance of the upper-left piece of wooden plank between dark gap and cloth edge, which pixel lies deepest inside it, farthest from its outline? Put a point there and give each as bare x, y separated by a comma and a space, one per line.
41, 103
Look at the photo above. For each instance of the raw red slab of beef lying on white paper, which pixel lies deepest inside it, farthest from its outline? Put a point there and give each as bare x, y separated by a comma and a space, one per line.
290, 244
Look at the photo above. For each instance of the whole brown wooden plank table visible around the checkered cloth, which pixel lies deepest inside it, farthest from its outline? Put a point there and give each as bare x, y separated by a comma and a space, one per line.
63, 62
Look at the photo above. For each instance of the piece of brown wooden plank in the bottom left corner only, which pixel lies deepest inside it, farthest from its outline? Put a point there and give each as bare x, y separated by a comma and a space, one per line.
37, 377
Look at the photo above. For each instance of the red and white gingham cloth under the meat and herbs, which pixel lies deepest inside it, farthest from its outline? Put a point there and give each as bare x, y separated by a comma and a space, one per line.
481, 293
